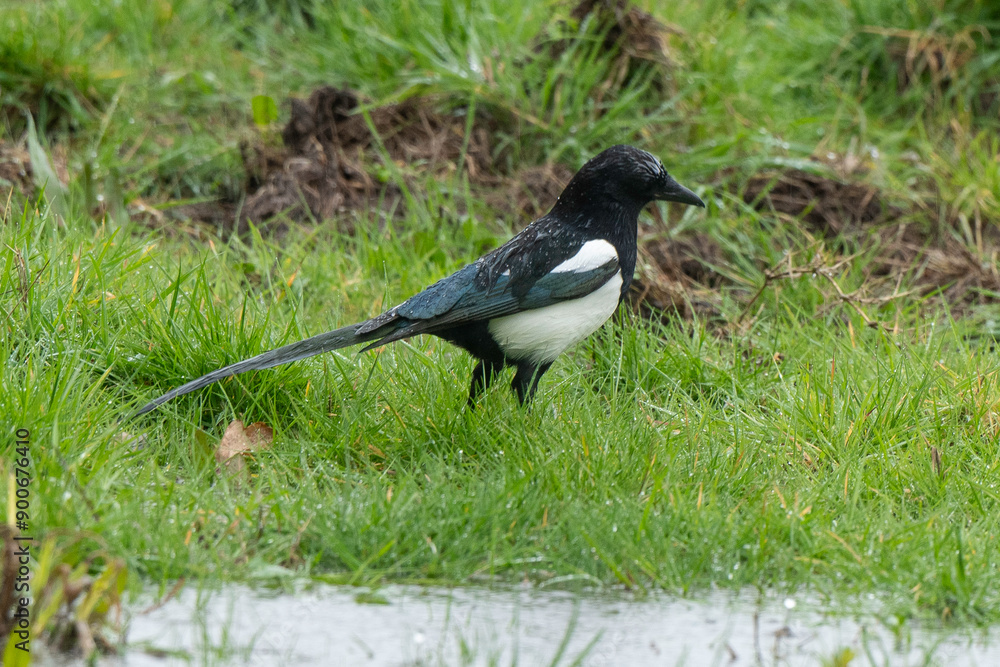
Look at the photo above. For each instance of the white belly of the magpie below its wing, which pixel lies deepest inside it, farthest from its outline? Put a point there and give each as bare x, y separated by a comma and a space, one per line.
543, 334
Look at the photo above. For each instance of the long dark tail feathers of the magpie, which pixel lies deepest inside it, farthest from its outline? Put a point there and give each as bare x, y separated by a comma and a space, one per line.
325, 342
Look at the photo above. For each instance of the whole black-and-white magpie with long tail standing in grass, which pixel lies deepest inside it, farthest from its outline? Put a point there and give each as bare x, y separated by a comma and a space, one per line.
525, 303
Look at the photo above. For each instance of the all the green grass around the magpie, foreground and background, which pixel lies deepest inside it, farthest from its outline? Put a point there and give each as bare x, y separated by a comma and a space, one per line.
789, 447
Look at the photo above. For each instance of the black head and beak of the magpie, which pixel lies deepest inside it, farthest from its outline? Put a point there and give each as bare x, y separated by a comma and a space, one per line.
630, 175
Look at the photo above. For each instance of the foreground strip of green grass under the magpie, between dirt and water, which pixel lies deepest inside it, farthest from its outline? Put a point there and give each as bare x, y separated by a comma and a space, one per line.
655, 455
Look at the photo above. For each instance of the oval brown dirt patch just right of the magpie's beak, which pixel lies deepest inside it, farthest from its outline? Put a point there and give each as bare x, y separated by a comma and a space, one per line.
828, 205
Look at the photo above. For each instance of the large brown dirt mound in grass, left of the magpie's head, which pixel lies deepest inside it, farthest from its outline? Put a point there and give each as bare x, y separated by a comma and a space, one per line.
331, 149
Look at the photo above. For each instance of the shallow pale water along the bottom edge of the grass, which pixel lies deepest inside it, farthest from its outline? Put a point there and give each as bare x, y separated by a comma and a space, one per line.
410, 625
